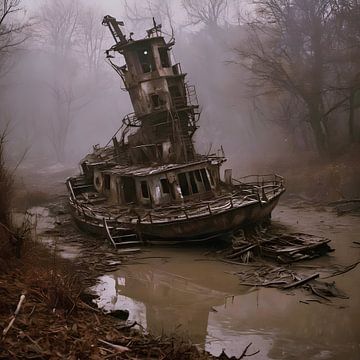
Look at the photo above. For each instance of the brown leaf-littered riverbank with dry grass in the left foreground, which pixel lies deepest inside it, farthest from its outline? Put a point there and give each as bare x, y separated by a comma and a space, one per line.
58, 319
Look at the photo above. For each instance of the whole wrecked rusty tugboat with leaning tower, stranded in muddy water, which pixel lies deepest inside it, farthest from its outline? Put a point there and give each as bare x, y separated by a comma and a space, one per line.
148, 184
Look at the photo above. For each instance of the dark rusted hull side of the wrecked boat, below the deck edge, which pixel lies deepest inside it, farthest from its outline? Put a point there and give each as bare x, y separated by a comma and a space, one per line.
200, 228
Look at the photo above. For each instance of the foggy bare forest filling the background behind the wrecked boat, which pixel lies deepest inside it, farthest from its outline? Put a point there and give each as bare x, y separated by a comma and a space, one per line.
273, 77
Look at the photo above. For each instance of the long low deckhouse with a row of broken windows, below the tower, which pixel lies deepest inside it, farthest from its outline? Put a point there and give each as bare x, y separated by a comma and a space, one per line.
155, 186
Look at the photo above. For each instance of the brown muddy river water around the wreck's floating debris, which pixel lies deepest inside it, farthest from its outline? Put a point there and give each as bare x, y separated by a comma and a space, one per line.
180, 290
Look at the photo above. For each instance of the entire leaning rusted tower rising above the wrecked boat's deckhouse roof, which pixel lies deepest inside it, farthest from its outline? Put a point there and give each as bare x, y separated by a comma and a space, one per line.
166, 109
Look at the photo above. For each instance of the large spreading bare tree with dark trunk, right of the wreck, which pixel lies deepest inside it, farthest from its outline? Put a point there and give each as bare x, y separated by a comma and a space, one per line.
287, 52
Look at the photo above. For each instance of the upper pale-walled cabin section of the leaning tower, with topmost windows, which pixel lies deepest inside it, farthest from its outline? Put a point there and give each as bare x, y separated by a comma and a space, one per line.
153, 82
